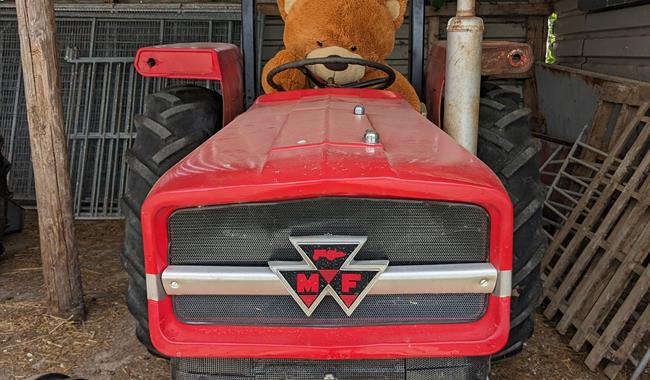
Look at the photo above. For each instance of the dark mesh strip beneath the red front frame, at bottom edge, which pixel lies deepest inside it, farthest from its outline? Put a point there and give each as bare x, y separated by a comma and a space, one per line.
288, 369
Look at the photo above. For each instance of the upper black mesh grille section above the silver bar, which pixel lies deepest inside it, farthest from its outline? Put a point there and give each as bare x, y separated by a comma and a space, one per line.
402, 231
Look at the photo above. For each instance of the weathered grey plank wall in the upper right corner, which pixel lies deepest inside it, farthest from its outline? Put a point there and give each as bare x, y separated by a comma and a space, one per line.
615, 42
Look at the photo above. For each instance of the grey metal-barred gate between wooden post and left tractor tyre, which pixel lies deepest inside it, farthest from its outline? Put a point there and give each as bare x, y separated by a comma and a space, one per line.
103, 96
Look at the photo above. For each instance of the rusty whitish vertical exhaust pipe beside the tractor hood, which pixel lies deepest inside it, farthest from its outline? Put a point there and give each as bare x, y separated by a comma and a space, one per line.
463, 75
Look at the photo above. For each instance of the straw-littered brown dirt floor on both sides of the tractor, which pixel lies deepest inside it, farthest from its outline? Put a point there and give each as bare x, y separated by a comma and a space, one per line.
104, 346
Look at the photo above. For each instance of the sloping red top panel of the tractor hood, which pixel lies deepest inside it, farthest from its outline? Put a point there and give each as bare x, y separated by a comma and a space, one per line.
314, 135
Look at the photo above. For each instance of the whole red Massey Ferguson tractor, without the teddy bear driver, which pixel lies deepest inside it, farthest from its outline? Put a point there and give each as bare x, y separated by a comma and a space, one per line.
334, 233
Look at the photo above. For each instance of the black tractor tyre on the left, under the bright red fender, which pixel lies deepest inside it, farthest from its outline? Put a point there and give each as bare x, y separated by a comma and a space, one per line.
175, 122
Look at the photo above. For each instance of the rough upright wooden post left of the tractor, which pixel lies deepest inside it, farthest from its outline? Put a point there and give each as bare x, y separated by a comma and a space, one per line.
47, 138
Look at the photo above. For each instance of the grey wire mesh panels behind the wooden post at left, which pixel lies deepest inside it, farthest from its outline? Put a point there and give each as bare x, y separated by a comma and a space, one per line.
100, 89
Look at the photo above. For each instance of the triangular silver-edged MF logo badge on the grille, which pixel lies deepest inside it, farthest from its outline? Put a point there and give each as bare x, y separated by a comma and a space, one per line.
328, 267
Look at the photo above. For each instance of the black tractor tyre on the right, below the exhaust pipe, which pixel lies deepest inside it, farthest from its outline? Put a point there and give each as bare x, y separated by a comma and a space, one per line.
507, 146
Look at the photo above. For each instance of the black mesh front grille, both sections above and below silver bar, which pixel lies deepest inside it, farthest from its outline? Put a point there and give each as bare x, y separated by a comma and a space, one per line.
402, 231
